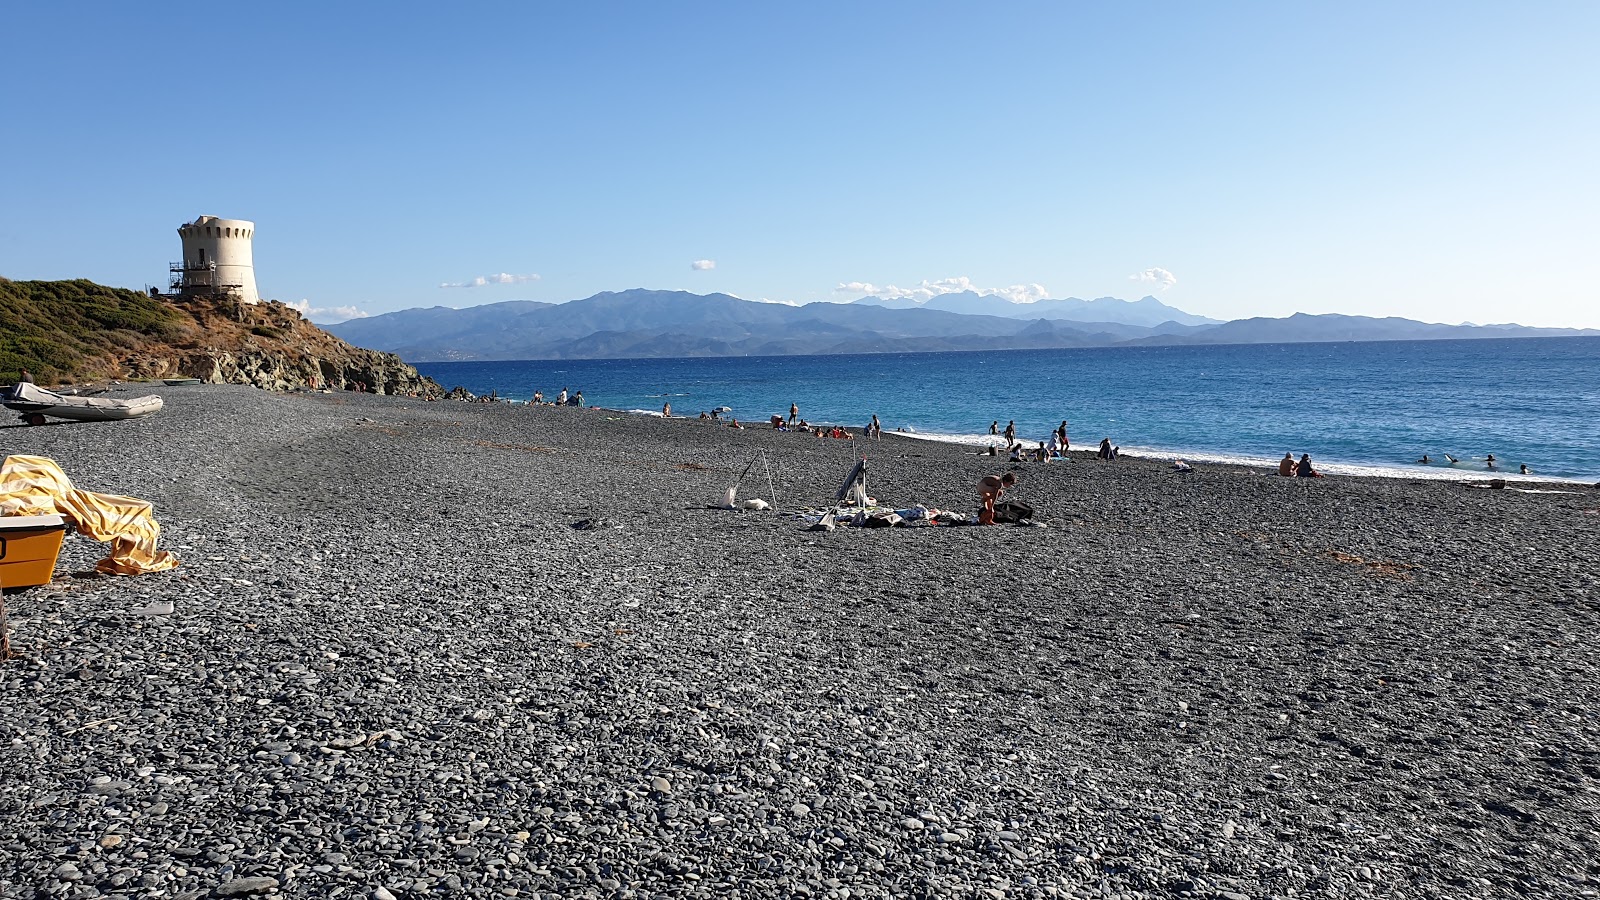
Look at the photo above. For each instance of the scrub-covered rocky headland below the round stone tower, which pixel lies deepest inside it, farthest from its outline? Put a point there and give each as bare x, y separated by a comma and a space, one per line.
81, 331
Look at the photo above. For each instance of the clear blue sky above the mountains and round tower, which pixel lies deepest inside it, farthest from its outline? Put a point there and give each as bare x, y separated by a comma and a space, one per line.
1433, 161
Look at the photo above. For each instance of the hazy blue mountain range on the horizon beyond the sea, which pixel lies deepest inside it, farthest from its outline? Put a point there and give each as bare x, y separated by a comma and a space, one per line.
679, 324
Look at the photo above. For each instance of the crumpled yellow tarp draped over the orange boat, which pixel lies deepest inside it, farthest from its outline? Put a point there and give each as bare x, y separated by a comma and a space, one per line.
34, 486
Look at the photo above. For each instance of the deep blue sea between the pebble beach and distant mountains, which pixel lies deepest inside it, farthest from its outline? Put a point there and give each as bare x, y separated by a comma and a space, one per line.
1362, 408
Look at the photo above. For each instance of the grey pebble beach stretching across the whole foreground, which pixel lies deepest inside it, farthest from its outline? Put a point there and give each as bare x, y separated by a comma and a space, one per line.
398, 670
